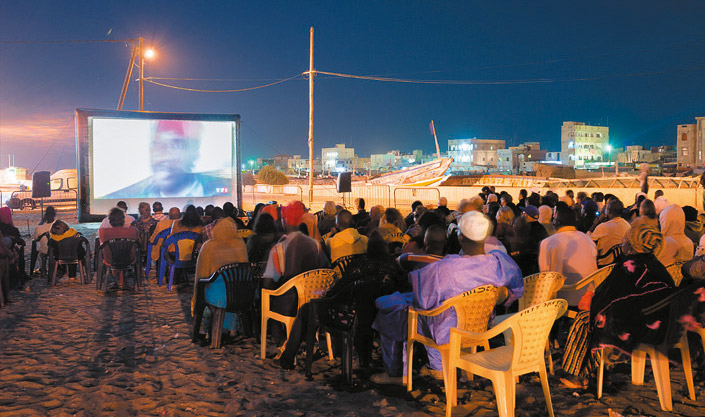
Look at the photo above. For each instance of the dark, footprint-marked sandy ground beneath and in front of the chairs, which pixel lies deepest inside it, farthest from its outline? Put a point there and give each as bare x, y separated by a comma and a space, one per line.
69, 350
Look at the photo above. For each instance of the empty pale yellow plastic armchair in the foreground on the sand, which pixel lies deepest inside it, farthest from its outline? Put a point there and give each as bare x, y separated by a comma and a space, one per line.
502, 365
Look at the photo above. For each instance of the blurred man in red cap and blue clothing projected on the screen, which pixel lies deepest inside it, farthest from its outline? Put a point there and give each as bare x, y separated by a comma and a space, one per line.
173, 151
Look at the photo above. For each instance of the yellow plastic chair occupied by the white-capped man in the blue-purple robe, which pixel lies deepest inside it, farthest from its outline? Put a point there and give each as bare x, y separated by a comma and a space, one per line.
472, 309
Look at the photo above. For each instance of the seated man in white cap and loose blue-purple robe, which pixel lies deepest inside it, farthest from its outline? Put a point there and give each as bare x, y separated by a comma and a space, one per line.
437, 282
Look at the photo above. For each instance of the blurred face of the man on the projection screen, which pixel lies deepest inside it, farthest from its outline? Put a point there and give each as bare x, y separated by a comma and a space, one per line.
173, 152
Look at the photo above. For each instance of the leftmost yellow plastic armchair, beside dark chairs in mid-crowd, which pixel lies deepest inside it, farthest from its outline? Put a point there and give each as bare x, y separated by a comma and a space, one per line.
309, 286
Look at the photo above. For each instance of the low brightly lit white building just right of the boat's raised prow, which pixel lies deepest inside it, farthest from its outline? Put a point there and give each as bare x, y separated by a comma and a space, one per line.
474, 154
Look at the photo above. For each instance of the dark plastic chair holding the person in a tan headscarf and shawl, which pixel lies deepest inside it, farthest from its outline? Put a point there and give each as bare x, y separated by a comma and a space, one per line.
230, 289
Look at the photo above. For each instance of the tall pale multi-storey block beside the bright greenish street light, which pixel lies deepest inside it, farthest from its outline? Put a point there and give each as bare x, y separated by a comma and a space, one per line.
582, 145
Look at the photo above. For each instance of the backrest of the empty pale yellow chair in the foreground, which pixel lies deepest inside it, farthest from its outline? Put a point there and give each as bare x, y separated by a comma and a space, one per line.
530, 328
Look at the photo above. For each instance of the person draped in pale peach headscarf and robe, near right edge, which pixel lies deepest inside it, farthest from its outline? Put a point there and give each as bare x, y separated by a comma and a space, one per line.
676, 245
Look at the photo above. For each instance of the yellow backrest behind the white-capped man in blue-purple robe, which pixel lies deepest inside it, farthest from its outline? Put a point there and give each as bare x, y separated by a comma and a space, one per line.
474, 308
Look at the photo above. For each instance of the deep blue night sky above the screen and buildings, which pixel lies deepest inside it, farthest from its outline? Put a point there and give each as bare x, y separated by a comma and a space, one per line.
636, 66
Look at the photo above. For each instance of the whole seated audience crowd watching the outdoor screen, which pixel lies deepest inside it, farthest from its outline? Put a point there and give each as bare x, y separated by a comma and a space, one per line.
433, 254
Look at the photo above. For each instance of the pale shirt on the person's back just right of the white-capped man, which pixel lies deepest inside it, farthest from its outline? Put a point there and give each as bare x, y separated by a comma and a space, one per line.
571, 253
